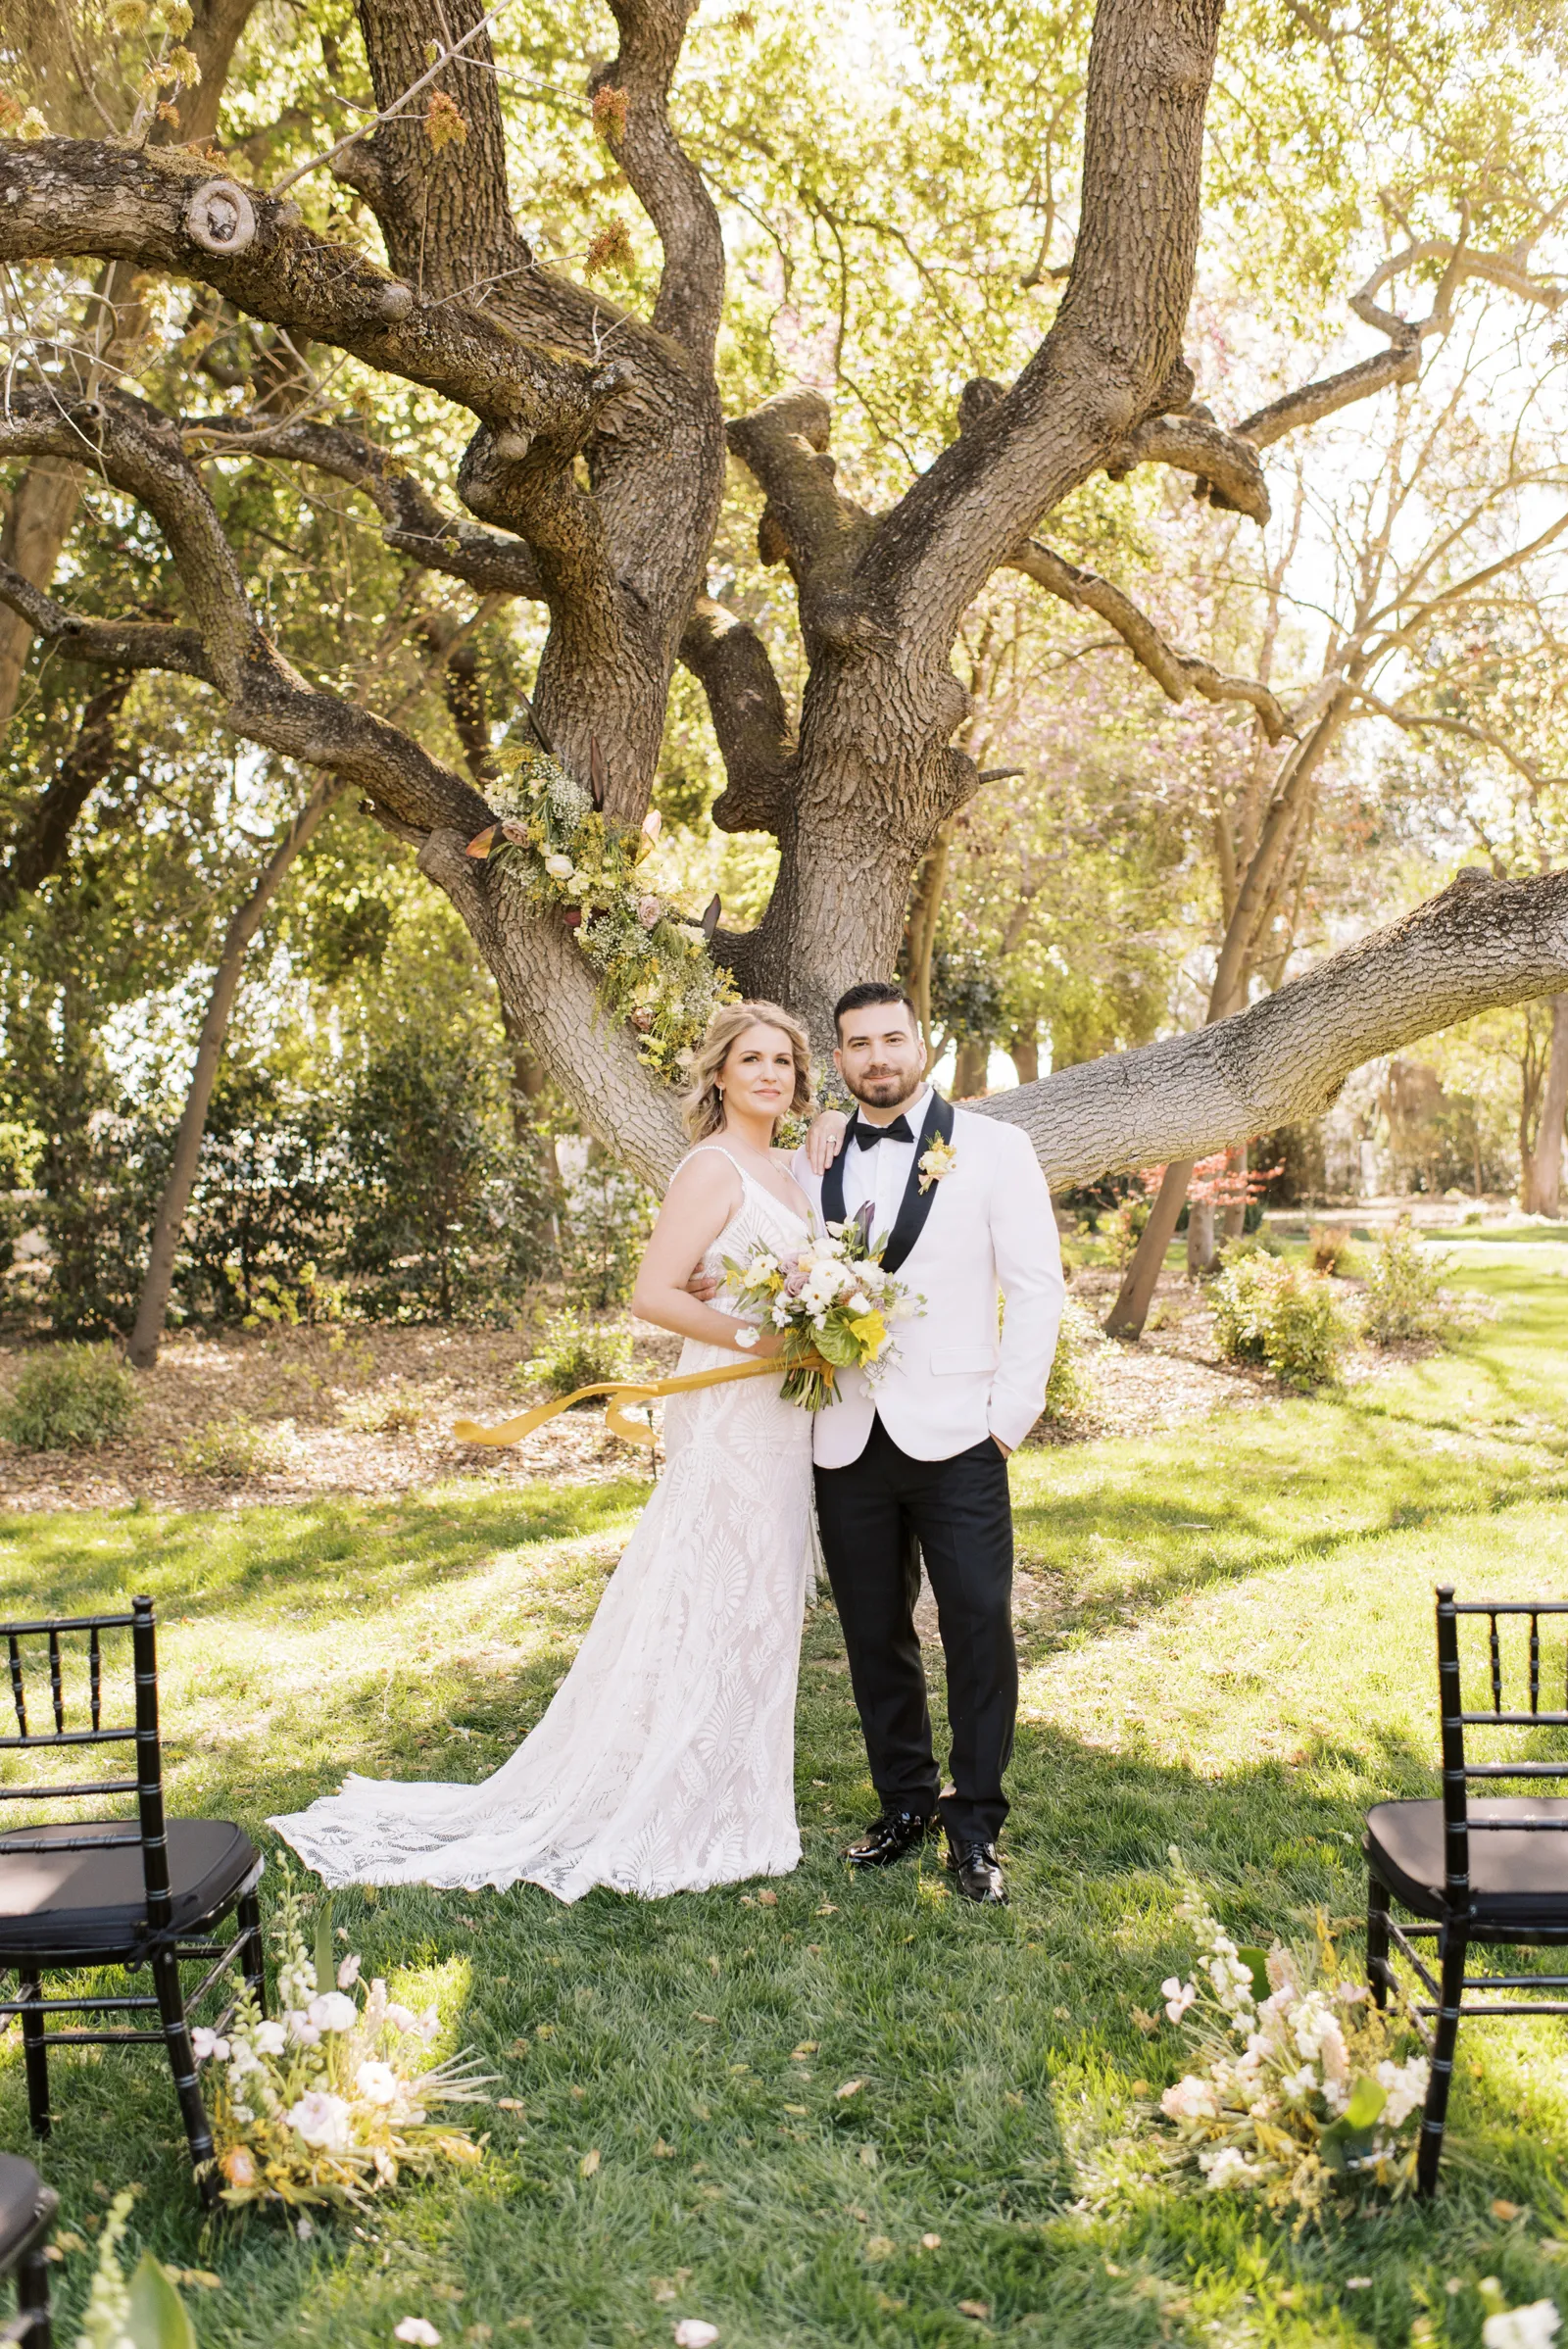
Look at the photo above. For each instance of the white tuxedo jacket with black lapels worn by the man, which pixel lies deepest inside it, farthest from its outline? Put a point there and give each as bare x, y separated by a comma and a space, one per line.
982, 1232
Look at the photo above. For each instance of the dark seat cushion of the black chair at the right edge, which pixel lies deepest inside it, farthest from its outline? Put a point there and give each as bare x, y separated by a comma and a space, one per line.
1515, 1878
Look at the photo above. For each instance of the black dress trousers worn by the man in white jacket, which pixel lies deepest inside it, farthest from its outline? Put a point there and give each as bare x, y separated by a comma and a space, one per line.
877, 1519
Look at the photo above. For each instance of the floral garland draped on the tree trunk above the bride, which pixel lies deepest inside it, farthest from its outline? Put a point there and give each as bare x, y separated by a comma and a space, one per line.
562, 852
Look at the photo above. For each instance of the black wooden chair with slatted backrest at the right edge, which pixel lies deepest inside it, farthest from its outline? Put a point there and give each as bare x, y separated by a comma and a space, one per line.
1478, 1871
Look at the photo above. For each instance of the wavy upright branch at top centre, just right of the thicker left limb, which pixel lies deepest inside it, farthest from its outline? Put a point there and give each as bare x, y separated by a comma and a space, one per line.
633, 105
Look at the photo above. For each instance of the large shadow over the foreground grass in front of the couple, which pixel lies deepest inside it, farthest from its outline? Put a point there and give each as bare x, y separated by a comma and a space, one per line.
788, 2099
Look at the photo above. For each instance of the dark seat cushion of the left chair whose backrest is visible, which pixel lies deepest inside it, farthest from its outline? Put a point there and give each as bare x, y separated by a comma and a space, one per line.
93, 1904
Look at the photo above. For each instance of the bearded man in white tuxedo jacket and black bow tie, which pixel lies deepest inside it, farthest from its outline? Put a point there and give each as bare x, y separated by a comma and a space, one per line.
919, 1465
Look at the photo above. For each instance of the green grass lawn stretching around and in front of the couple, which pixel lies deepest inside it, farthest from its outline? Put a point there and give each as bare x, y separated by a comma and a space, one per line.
1229, 1645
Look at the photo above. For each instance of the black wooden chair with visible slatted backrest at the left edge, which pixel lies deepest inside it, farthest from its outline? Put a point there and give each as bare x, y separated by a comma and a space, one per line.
90, 1894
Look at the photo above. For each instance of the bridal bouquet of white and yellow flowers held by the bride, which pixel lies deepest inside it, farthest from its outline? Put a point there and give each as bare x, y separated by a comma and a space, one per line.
834, 1305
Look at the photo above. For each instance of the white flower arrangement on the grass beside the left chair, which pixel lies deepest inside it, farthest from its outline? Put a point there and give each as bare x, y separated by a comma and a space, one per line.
337, 2099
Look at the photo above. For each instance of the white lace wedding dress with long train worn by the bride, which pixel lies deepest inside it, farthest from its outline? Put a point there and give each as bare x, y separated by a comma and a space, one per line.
665, 1761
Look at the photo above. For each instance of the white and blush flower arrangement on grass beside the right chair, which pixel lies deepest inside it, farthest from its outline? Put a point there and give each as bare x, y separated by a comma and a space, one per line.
1302, 2082
